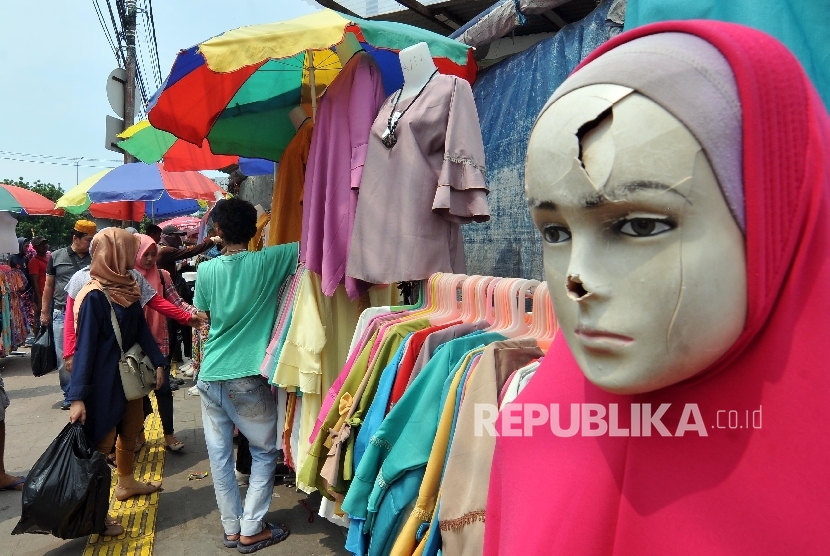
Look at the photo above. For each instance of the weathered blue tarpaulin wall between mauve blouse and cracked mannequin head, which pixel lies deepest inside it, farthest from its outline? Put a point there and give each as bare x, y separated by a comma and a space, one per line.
508, 97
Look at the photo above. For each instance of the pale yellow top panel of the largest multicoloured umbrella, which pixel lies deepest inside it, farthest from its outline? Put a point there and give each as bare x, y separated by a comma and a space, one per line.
250, 45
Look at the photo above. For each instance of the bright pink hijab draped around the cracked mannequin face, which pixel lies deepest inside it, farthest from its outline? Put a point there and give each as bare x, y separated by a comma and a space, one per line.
739, 490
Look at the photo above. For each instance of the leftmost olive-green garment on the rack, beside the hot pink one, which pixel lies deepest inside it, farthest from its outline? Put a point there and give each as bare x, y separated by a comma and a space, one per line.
310, 472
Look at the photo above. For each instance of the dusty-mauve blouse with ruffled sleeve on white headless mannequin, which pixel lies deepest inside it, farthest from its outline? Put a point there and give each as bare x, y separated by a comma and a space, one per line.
414, 196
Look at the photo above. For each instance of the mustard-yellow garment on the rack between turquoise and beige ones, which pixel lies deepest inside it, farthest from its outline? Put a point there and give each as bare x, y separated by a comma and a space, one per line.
405, 543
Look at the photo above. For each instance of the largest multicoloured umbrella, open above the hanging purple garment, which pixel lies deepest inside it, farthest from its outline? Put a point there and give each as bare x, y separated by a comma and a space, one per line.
236, 90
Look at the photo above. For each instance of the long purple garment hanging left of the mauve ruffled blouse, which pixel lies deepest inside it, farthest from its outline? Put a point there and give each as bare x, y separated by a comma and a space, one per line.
335, 167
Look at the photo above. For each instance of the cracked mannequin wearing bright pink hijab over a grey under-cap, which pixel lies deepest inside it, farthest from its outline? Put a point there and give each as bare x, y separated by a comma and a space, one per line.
730, 457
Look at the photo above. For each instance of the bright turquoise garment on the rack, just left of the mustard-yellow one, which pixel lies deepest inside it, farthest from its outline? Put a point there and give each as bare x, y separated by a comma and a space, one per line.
404, 440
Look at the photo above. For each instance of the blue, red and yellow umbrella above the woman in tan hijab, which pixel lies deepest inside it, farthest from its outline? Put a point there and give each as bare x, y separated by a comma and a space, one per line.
137, 189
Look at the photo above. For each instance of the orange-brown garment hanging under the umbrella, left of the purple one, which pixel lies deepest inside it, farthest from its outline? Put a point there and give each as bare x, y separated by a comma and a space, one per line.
287, 199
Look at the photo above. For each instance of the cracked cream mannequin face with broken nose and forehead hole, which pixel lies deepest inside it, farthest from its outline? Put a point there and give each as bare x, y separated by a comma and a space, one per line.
645, 263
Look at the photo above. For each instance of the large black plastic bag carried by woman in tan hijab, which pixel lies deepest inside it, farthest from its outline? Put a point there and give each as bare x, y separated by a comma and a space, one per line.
67, 492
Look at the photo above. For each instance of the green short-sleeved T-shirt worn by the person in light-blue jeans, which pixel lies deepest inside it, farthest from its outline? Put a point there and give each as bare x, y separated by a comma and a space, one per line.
241, 292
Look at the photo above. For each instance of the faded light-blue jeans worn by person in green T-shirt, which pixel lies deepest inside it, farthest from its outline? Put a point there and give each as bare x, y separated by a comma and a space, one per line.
248, 404
